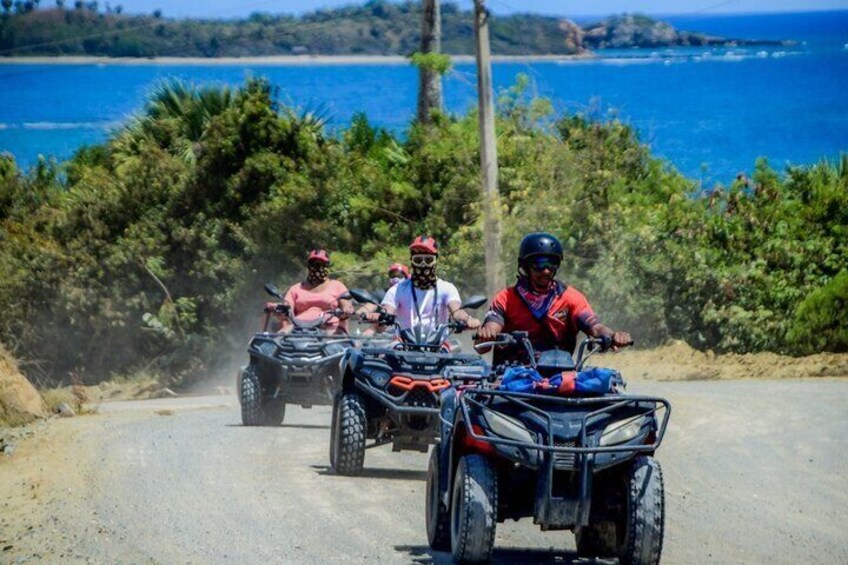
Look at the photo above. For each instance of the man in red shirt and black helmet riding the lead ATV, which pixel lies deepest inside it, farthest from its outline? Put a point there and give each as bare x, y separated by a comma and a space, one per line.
551, 312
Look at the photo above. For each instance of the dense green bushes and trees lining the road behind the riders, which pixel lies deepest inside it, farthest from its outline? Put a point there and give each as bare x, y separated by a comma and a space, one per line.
147, 253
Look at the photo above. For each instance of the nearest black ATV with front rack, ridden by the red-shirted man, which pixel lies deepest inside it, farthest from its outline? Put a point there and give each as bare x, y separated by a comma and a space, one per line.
584, 464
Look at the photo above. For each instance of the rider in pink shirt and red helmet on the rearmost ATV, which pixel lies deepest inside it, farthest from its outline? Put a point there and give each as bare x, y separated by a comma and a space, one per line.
316, 295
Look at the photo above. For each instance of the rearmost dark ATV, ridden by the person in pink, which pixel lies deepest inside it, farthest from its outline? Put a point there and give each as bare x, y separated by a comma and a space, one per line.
298, 367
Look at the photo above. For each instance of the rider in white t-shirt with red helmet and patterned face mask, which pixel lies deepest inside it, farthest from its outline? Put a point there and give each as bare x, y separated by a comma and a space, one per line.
424, 300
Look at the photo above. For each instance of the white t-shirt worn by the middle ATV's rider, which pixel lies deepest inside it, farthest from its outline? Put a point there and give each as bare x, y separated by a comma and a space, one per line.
429, 313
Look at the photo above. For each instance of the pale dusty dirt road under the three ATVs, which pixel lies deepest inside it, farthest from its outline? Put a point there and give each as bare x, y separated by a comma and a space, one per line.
755, 473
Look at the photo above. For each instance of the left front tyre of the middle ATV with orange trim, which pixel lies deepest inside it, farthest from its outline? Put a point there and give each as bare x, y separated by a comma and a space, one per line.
348, 439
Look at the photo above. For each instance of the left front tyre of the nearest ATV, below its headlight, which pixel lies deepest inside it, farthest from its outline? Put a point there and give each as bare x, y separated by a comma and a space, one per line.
474, 509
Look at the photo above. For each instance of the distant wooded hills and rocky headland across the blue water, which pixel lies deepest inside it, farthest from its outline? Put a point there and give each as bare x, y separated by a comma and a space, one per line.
376, 28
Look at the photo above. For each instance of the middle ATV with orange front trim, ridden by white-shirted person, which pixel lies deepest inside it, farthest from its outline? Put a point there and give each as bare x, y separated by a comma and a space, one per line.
390, 394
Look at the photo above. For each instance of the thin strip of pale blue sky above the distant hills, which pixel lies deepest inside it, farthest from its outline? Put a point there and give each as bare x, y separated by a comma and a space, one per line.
236, 8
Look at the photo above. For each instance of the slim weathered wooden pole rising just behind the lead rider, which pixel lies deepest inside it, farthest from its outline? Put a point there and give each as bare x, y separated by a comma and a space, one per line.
488, 151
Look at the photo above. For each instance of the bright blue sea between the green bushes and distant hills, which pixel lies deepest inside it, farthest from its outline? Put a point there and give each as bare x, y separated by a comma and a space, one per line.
709, 112
